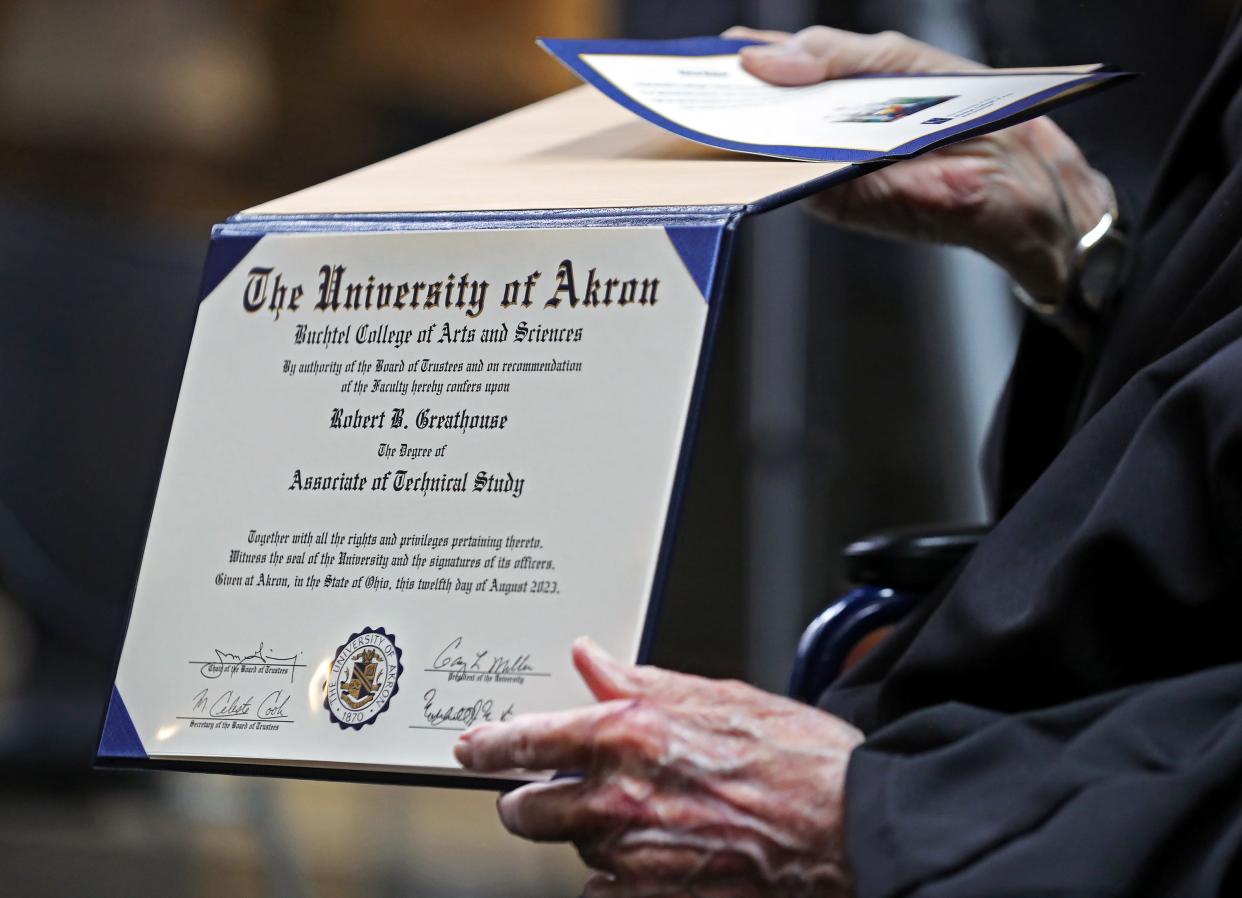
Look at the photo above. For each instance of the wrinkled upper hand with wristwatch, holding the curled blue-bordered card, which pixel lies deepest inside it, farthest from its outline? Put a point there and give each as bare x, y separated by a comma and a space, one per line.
1023, 196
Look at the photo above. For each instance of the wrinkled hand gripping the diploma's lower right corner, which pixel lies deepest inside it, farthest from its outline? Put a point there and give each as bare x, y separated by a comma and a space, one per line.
690, 787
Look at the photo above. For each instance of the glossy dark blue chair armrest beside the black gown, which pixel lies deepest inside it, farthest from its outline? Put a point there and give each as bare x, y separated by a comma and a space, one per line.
891, 573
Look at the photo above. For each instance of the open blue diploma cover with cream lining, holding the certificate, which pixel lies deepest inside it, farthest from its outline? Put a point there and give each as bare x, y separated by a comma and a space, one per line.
435, 423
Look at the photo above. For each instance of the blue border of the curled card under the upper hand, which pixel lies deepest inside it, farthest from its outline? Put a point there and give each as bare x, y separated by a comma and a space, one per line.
569, 54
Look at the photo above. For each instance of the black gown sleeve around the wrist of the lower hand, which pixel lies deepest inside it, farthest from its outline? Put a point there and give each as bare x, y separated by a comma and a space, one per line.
1133, 793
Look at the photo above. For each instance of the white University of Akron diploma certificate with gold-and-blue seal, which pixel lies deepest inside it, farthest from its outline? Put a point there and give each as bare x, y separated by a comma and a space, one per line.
407, 470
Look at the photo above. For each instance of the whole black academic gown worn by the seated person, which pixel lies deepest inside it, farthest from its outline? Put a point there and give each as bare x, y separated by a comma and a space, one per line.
1066, 717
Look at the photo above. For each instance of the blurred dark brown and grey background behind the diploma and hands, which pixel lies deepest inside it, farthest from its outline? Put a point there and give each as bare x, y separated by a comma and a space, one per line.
858, 401
